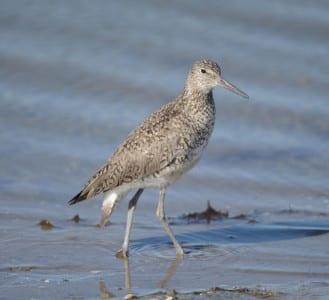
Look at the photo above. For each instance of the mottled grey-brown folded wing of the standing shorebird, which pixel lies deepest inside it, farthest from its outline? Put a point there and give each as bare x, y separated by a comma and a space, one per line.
152, 146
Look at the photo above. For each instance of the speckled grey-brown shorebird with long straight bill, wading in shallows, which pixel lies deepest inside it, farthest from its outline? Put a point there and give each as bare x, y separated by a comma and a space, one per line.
161, 149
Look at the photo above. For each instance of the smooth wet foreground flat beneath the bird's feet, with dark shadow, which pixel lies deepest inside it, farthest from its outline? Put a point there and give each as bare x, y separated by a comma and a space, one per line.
223, 258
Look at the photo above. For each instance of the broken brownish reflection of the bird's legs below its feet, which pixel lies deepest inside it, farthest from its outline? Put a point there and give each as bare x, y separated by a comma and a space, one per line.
106, 294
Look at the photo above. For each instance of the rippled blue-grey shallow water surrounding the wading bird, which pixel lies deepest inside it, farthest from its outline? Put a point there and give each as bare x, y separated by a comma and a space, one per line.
76, 77
